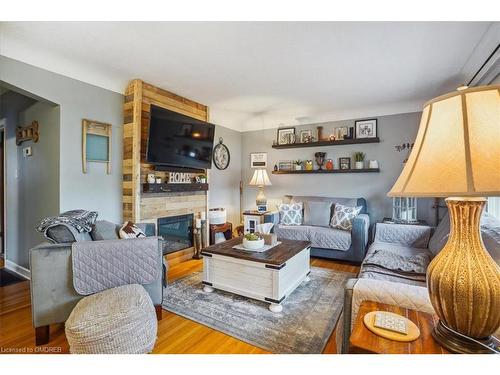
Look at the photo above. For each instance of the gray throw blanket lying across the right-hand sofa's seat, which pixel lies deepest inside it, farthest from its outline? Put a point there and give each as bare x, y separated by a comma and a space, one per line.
411, 267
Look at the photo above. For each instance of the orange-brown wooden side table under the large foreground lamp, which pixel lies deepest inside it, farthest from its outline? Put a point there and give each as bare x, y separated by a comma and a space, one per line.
363, 341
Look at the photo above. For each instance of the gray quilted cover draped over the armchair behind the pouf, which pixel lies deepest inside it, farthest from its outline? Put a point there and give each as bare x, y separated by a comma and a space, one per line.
101, 265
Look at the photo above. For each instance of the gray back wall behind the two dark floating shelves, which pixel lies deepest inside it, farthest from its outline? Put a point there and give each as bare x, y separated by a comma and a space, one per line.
392, 130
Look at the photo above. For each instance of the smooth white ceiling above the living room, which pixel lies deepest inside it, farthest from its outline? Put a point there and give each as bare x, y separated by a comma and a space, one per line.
257, 75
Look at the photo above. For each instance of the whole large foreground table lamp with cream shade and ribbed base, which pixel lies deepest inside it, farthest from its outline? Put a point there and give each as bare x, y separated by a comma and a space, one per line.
457, 155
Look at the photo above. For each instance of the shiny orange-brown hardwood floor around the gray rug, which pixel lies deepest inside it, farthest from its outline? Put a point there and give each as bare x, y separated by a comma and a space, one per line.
176, 335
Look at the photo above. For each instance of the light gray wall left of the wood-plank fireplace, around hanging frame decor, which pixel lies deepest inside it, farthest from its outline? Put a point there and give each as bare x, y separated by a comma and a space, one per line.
95, 190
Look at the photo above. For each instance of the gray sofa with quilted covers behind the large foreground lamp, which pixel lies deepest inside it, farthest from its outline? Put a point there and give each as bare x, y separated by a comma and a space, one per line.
419, 245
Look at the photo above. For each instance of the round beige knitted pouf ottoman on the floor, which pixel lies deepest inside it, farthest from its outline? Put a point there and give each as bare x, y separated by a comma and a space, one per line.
120, 320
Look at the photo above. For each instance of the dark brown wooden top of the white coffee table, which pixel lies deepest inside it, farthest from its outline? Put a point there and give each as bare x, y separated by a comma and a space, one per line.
277, 256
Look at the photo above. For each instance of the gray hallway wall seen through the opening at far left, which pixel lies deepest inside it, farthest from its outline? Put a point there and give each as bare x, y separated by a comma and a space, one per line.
37, 180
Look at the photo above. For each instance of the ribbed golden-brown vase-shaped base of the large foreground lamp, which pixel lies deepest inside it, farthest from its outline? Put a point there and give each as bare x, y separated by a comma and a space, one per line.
464, 282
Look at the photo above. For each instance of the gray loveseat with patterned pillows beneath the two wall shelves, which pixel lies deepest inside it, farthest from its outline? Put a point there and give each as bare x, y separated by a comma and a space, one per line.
327, 242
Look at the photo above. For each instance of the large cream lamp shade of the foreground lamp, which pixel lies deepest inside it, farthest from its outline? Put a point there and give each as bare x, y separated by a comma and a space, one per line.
457, 149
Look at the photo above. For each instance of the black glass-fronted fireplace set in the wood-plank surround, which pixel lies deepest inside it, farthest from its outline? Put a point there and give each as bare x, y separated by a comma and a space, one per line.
177, 232
